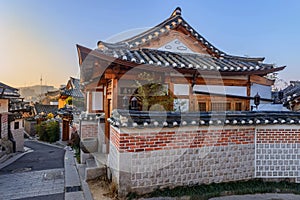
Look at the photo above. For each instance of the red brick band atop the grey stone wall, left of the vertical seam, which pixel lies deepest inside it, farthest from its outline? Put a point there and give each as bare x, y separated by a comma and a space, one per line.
138, 141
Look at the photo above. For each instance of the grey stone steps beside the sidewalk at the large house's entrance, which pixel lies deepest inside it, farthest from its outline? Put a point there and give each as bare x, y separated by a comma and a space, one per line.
93, 171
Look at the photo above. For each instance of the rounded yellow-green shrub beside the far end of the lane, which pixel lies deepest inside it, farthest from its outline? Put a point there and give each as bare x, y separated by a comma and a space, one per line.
48, 131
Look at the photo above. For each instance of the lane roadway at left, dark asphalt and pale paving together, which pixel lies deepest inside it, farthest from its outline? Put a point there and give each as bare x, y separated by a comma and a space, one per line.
36, 175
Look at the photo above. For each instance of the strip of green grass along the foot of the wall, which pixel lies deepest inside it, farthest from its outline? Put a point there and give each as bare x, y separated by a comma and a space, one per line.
204, 192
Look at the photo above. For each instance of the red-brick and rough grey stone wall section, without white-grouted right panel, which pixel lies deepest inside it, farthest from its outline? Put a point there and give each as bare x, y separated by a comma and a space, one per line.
142, 160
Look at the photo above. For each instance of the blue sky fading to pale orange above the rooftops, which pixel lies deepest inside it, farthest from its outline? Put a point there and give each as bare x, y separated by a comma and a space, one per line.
38, 38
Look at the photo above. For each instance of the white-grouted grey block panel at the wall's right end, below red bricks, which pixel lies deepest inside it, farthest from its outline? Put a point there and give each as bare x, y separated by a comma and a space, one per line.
277, 160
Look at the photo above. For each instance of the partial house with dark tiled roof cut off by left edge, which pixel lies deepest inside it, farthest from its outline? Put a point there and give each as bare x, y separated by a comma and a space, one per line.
12, 110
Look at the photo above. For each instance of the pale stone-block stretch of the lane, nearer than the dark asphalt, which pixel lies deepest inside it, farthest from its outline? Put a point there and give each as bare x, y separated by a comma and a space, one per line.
31, 184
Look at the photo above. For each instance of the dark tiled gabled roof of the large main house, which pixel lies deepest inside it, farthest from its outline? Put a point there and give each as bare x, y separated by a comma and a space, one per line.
132, 52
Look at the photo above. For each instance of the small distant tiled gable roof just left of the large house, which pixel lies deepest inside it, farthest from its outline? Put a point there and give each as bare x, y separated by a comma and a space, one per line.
72, 88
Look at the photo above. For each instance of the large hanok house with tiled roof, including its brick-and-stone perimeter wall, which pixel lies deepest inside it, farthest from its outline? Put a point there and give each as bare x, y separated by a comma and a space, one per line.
150, 89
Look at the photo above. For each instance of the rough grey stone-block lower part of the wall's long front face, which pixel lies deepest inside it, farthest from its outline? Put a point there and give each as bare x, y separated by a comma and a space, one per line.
192, 166
